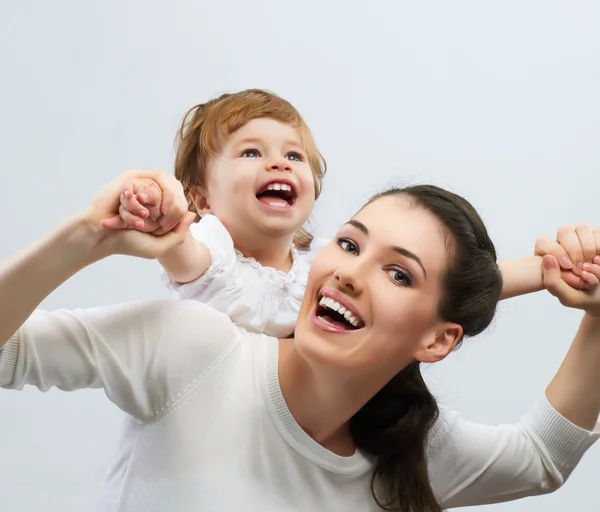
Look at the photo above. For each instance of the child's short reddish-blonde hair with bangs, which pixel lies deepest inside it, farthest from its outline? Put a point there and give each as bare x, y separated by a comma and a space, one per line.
203, 125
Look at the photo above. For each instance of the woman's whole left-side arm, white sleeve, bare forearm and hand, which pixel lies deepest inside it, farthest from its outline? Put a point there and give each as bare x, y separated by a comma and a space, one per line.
143, 354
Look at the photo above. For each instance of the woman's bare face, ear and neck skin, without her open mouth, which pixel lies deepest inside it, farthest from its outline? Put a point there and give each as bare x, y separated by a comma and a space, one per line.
396, 299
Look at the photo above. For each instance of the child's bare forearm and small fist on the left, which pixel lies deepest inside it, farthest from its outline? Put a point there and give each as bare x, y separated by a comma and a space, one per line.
140, 209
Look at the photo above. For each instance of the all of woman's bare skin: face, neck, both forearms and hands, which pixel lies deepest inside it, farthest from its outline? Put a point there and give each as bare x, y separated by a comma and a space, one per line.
325, 378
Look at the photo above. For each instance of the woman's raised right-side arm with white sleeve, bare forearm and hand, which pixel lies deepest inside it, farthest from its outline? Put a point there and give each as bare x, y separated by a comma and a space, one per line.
476, 464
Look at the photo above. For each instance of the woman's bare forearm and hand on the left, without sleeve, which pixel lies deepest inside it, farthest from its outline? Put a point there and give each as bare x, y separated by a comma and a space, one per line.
30, 276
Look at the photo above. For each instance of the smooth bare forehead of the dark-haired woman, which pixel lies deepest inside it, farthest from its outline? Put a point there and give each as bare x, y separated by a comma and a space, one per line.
397, 221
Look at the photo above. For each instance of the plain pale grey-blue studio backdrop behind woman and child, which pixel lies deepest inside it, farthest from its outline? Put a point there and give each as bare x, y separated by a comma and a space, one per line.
497, 101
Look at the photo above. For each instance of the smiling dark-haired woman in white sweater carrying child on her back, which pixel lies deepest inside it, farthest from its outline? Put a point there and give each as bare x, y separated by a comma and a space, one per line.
338, 418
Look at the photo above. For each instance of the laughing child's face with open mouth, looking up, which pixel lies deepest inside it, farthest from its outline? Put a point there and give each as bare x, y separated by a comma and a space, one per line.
260, 183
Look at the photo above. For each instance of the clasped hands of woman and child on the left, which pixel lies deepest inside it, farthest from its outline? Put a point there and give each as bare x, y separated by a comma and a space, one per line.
172, 216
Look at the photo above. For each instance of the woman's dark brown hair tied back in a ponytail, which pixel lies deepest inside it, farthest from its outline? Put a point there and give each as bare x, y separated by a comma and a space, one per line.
395, 424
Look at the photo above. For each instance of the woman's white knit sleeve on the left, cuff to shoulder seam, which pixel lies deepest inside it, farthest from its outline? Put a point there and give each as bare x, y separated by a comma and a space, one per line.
145, 355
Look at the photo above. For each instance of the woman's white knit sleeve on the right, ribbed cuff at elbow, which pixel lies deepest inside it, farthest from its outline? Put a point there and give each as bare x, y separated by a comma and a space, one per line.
472, 464
